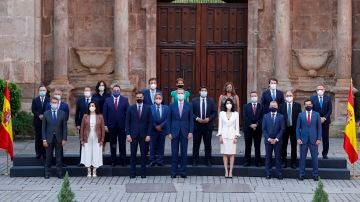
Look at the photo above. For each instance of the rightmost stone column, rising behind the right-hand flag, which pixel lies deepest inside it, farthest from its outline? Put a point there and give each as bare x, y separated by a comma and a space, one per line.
343, 57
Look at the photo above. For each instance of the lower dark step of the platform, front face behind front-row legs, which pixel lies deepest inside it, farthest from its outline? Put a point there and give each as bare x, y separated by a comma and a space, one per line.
216, 170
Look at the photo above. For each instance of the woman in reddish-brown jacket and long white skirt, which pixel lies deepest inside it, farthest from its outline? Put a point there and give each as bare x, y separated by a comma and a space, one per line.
92, 135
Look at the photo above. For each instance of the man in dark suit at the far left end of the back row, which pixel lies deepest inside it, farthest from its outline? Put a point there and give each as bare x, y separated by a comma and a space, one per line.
38, 107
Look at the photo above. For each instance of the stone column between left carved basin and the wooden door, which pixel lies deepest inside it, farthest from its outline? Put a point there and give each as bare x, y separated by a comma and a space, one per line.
121, 45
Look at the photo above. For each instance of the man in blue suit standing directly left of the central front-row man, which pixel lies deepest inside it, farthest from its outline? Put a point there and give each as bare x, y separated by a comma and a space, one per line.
158, 131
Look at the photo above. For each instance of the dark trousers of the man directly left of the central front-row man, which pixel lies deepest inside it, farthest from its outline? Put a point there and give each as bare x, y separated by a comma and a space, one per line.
157, 146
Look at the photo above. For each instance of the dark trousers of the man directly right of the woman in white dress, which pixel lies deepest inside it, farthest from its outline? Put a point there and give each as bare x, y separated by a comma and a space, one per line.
249, 137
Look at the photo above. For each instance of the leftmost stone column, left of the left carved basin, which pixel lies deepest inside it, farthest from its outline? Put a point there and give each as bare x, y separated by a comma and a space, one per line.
61, 48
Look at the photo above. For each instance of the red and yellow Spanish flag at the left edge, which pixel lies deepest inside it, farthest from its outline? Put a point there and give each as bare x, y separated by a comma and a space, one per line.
6, 137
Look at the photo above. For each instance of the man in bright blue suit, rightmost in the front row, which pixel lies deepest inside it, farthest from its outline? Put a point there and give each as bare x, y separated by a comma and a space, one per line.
308, 135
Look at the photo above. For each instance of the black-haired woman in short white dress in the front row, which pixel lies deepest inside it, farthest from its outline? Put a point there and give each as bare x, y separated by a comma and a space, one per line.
228, 134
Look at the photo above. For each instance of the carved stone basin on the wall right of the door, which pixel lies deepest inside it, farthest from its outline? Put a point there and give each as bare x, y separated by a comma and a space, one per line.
313, 60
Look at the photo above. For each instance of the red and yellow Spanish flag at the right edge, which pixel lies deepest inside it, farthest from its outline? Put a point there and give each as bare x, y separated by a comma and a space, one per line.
350, 130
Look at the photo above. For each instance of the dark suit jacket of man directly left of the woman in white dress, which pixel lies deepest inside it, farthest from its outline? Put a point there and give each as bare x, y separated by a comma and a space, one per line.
210, 110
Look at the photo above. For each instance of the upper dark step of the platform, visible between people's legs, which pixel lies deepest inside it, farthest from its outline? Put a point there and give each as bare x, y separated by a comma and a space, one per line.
72, 159
